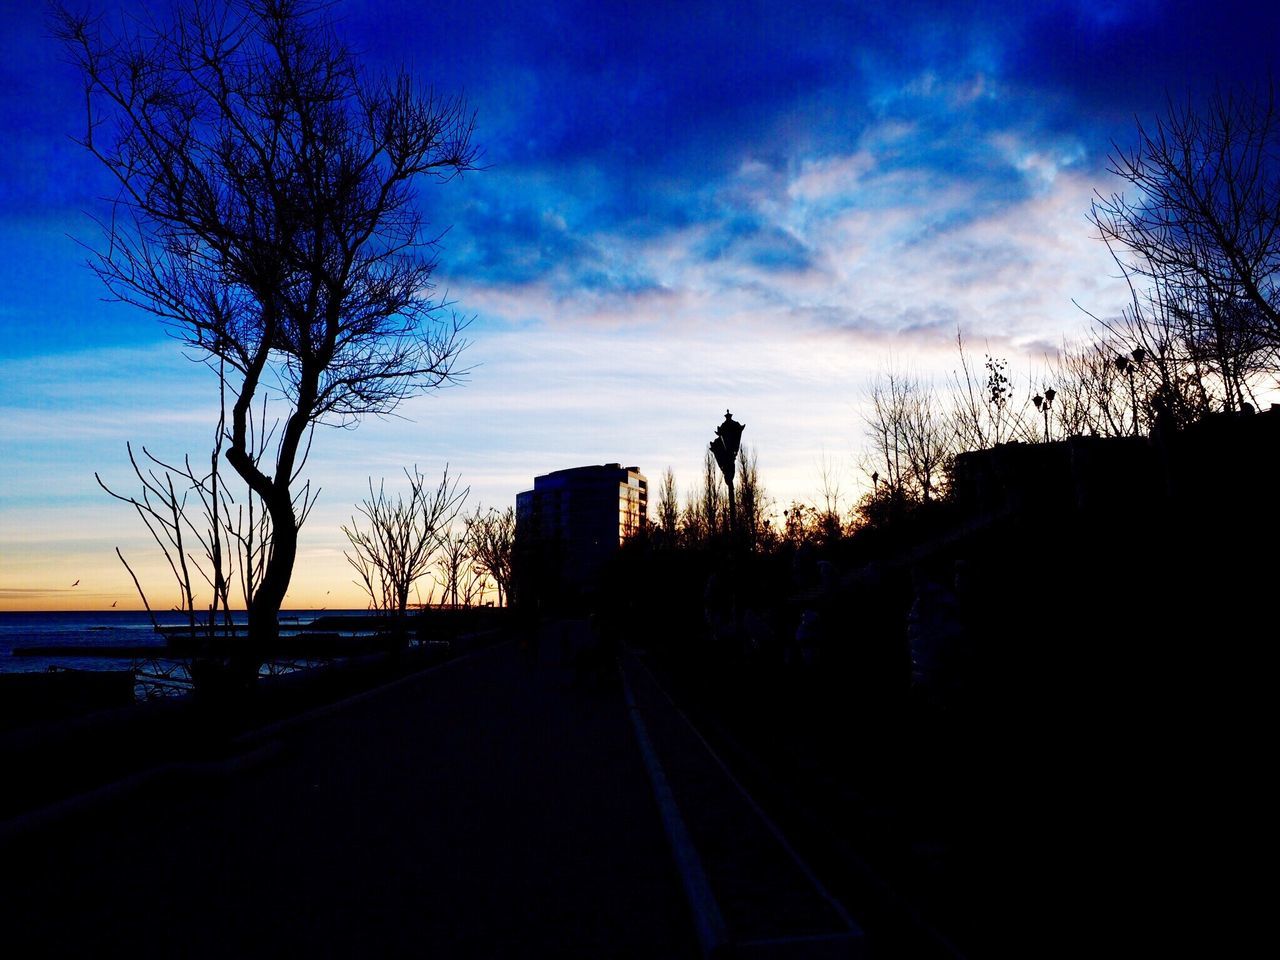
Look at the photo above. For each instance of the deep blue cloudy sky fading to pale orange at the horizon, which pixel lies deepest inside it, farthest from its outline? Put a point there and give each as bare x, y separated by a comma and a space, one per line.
685, 208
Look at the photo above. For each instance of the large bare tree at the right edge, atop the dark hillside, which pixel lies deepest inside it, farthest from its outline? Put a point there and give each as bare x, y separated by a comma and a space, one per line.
1204, 222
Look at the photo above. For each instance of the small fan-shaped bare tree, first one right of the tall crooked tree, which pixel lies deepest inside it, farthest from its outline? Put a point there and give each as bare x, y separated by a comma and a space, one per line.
395, 543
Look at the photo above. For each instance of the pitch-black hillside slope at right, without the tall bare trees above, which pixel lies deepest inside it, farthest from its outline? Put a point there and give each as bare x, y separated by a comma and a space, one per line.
1013, 692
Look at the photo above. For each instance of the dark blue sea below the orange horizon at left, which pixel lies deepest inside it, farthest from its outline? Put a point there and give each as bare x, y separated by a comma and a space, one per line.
88, 632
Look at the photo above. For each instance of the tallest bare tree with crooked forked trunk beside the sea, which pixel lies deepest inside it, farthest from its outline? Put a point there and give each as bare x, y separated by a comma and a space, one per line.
267, 214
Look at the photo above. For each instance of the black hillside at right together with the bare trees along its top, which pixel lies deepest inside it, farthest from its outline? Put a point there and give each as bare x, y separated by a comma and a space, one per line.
1026, 676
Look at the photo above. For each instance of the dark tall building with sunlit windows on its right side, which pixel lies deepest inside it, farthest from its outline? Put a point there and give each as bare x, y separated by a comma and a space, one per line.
570, 525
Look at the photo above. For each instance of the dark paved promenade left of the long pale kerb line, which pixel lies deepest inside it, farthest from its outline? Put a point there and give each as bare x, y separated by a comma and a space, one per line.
491, 808
